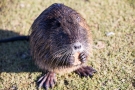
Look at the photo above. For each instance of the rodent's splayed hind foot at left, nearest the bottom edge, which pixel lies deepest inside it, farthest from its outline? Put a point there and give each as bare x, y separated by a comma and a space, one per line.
47, 81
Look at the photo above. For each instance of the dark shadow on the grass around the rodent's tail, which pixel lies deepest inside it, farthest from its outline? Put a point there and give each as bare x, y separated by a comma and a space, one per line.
15, 56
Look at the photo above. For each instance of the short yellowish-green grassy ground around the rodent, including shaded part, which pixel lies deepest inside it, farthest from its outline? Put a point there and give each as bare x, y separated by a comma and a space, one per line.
113, 56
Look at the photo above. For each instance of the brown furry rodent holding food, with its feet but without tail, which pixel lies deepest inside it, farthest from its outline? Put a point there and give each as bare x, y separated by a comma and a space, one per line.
60, 42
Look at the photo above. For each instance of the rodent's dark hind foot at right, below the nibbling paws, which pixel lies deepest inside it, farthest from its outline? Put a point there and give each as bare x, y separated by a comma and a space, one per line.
85, 71
